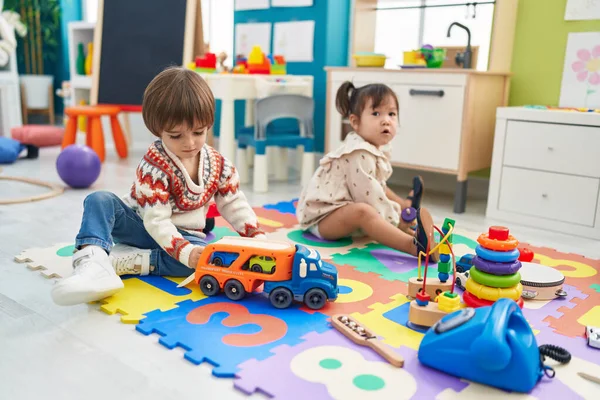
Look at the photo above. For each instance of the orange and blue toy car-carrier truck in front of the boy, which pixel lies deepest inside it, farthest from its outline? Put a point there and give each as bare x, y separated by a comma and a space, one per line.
296, 272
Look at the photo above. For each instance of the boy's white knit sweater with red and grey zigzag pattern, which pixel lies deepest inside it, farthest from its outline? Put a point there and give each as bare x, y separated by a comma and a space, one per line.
167, 199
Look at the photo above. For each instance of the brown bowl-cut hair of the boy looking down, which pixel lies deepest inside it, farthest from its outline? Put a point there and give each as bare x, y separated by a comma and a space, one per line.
177, 96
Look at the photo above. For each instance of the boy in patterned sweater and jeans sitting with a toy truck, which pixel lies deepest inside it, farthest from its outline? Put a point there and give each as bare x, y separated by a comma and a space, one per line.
158, 226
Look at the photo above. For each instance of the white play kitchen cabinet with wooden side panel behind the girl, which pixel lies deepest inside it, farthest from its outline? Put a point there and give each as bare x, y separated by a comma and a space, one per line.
446, 118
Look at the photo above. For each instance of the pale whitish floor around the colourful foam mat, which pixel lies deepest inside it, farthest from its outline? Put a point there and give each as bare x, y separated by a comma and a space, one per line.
51, 352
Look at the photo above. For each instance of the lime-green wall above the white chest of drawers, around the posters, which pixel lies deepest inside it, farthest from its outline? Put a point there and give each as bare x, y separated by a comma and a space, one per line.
539, 51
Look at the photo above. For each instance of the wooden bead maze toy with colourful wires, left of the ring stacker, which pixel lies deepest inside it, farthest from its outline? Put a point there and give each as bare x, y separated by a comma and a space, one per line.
426, 310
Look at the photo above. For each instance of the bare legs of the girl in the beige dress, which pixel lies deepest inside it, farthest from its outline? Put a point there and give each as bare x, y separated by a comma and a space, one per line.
348, 219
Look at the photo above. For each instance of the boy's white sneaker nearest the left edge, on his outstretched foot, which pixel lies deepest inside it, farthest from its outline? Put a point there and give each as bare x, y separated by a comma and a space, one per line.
93, 279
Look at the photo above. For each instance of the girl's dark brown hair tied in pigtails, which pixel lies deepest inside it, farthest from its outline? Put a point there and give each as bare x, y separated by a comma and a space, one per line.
352, 100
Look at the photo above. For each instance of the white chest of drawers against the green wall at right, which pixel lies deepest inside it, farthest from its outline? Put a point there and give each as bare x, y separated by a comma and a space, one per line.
546, 170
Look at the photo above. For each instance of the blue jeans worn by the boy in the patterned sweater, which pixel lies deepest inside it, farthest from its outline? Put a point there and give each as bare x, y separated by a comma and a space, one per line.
106, 219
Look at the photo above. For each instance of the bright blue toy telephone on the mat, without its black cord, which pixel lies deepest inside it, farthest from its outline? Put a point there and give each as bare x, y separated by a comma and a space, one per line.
492, 345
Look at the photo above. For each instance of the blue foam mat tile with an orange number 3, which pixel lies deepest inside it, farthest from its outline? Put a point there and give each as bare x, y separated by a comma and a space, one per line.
225, 333
